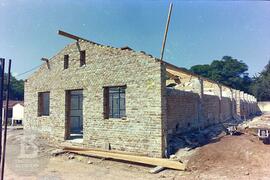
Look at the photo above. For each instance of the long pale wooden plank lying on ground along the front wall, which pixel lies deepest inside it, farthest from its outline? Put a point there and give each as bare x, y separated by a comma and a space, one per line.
132, 158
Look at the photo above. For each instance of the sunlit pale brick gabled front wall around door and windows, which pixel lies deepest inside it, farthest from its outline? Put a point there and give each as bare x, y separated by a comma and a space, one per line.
140, 132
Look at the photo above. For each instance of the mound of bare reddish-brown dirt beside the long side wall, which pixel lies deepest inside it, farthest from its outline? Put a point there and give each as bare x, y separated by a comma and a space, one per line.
234, 155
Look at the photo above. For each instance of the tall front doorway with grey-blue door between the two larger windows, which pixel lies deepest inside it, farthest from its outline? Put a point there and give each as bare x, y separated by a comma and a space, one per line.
74, 114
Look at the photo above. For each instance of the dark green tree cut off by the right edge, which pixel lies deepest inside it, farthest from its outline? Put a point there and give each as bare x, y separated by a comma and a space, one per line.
261, 84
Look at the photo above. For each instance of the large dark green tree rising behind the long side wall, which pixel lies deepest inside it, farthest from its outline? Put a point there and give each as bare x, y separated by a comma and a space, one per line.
228, 71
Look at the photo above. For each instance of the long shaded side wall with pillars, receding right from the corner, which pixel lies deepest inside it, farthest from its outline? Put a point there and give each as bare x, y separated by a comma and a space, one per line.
200, 103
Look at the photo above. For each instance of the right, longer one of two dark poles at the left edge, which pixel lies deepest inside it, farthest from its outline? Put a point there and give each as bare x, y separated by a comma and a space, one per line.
6, 121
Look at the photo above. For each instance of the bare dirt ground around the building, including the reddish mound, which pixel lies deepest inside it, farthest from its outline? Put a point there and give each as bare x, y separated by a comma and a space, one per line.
228, 157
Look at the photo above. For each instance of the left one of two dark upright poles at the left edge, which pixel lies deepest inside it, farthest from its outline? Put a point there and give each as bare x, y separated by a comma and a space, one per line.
2, 75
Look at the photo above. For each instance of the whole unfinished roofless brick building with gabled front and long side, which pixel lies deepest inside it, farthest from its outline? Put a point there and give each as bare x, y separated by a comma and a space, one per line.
119, 99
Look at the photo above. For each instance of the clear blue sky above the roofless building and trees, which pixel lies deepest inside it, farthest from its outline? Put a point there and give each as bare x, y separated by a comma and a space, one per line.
199, 31
